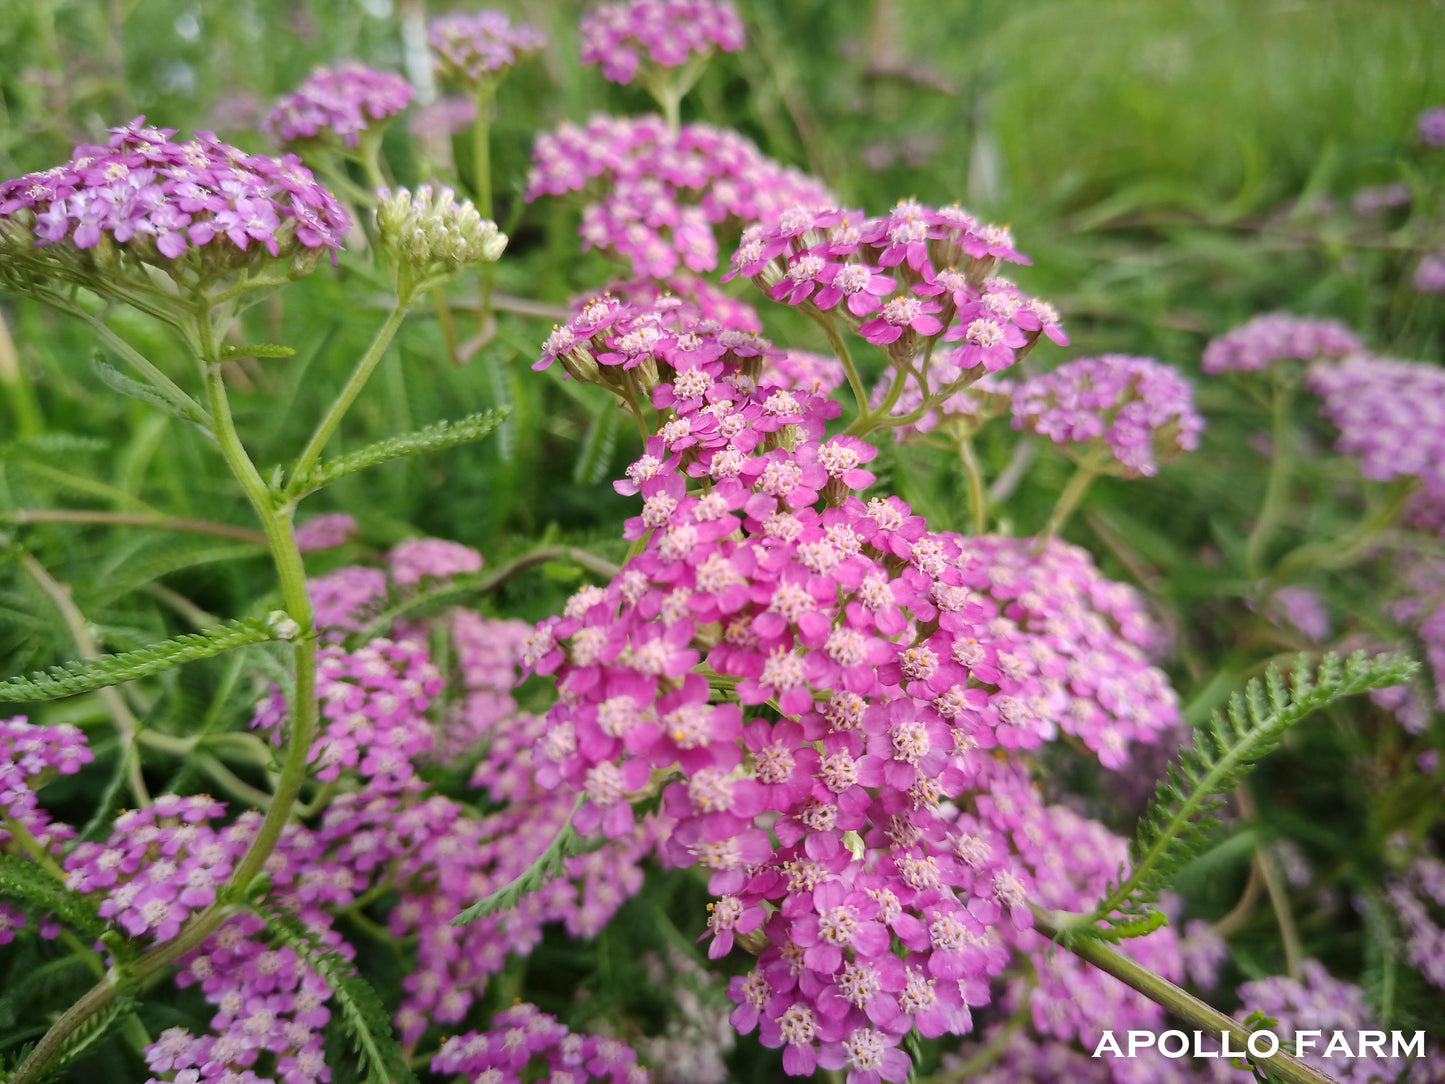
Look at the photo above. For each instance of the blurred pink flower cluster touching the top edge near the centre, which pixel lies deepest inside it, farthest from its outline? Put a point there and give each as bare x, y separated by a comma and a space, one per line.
663, 34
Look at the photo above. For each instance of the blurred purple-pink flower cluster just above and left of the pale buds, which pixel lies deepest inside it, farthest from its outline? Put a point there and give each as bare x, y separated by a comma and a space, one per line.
340, 102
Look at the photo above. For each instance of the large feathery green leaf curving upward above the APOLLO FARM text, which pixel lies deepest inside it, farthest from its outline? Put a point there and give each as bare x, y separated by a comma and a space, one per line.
1181, 816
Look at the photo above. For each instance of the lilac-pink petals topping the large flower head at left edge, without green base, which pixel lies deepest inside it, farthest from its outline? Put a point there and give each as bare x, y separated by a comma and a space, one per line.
161, 199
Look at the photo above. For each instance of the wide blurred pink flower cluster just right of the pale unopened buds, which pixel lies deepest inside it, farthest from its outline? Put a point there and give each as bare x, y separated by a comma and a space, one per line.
660, 196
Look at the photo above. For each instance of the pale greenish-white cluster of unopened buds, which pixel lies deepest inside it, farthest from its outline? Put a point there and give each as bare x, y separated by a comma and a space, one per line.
433, 236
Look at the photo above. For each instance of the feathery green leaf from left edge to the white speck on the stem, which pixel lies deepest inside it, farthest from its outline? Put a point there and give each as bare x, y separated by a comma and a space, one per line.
87, 676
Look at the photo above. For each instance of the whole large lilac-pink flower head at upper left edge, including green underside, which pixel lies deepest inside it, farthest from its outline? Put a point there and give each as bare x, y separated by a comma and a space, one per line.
196, 210
